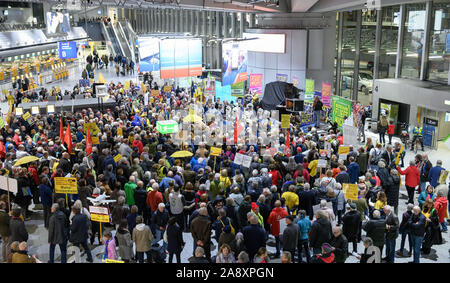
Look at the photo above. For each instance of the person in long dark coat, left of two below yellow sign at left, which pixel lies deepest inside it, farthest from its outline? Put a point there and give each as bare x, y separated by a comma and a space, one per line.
57, 233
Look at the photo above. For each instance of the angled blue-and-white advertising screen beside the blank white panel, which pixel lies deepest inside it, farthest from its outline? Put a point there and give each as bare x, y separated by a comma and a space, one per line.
234, 68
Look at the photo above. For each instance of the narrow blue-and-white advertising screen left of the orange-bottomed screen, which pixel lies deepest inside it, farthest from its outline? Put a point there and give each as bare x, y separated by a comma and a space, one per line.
148, 54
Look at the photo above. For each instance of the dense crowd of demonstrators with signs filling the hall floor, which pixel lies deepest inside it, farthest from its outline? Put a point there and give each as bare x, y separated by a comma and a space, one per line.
284, 198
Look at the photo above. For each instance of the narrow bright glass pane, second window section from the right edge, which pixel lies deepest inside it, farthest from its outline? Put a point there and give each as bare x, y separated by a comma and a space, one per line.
413, 40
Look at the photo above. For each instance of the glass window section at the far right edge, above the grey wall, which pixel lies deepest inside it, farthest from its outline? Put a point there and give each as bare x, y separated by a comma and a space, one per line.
439, 52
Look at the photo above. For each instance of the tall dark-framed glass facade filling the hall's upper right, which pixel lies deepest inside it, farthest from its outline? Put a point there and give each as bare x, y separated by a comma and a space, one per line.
413, 45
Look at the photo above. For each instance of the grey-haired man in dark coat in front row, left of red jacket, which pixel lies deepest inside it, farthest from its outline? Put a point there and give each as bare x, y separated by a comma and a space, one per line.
254, 236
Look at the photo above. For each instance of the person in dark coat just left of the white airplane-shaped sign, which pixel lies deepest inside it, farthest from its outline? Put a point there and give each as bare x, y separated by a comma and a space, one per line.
79, 232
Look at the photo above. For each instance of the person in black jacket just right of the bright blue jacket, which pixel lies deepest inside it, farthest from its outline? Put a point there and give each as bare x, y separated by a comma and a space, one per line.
320, 231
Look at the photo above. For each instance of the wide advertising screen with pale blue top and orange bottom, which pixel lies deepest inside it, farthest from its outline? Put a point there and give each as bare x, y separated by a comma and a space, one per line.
180, 58
